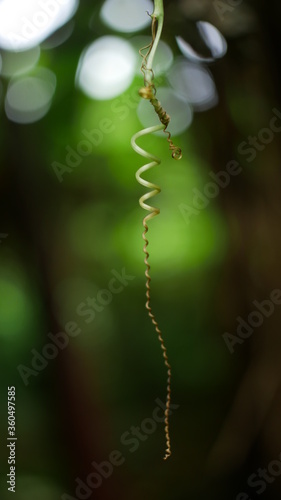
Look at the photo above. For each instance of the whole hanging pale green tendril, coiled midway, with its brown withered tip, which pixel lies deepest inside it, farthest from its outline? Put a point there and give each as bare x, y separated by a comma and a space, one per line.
148, 91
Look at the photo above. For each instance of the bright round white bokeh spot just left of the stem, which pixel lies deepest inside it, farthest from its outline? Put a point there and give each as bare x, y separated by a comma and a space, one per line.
106, 68
